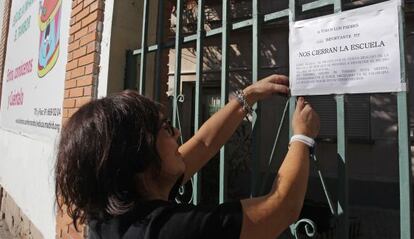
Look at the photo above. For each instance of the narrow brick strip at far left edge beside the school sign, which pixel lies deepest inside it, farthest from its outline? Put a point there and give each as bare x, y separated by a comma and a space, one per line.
3, 40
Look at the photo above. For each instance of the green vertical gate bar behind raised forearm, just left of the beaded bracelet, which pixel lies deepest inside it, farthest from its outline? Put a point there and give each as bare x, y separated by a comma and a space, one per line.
224, 92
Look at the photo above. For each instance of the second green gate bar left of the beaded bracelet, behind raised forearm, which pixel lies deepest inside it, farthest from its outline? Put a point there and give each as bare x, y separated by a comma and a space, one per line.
198, 88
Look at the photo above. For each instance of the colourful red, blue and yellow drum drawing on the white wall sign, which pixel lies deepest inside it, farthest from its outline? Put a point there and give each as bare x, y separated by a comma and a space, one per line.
49, 25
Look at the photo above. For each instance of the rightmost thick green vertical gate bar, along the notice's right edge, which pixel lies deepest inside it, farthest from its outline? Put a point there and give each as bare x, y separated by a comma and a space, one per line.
403, 142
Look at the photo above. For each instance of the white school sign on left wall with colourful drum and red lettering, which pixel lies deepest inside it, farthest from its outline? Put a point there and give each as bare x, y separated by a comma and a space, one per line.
34, 72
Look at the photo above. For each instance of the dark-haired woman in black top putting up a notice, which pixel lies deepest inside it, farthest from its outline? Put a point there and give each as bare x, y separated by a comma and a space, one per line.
118, 162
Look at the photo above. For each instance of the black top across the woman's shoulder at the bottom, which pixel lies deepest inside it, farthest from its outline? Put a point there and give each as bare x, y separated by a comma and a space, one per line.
166, 219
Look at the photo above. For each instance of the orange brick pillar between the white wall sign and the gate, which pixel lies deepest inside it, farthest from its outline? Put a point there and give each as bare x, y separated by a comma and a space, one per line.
82, 70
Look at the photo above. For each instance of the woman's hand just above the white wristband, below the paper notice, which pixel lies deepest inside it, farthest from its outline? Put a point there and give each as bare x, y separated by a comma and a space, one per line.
305, 120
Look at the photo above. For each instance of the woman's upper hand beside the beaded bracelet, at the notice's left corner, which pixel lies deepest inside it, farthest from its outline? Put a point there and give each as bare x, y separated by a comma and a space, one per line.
274, 84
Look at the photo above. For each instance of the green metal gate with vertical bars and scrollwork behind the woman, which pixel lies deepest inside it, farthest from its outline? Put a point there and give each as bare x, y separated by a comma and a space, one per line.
339, 209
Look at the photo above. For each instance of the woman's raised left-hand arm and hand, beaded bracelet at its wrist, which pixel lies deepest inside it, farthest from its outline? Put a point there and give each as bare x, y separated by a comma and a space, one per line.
215, 132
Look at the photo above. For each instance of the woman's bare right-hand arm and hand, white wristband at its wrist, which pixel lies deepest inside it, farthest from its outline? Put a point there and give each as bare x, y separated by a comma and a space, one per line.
268, 216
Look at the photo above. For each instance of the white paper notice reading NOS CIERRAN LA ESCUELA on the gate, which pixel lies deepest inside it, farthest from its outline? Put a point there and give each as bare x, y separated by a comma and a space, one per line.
356, 51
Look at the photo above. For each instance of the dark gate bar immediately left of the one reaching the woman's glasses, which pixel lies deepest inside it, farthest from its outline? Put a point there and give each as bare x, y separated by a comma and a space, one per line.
160, 39
